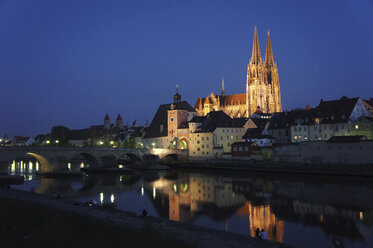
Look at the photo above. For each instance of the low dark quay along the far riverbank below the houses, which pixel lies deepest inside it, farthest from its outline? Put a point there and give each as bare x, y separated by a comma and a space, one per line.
269, 167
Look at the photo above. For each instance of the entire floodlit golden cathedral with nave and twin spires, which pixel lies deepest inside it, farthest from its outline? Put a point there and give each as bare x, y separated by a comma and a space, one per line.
262, 88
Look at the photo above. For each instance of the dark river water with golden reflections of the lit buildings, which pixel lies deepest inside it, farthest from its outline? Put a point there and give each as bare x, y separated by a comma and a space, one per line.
304, 211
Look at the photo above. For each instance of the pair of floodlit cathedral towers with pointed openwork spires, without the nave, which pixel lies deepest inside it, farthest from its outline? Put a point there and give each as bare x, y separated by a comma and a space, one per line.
262, 85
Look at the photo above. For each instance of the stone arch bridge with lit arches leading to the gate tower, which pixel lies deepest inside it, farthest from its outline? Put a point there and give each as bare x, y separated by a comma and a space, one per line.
55, 158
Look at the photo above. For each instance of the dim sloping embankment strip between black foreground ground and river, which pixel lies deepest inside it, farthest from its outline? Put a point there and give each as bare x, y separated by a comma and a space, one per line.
186, 233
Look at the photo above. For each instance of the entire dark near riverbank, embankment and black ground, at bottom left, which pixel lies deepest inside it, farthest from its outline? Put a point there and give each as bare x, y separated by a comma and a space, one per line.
33, 220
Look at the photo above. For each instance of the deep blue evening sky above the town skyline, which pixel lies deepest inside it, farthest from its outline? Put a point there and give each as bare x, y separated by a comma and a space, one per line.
70, 62
